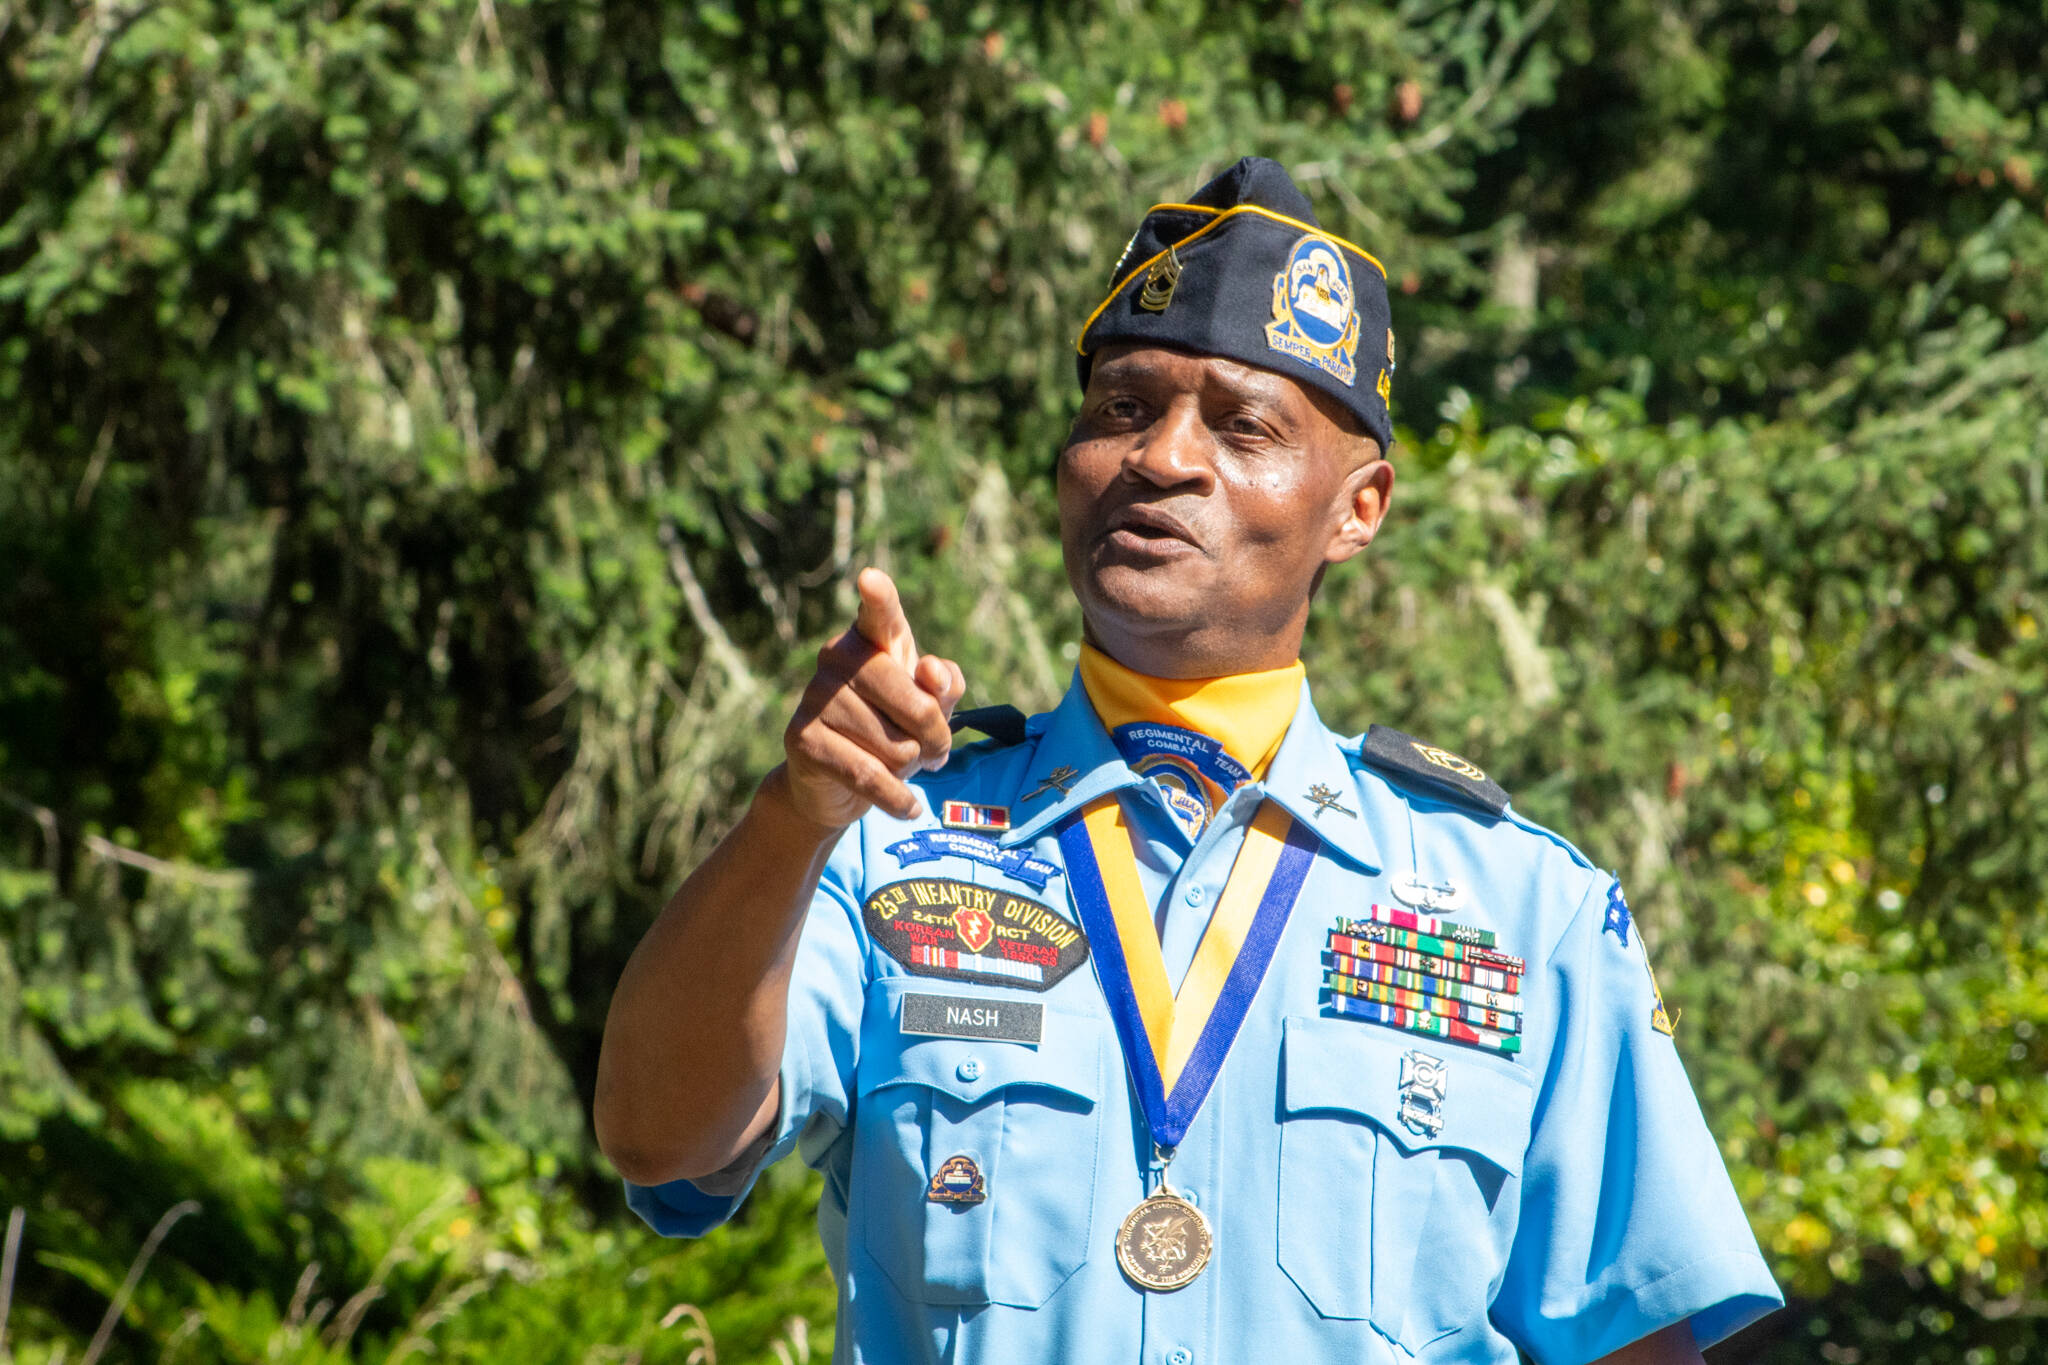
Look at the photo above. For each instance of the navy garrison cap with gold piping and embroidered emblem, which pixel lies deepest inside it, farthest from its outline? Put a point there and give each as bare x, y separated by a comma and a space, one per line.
1244, 271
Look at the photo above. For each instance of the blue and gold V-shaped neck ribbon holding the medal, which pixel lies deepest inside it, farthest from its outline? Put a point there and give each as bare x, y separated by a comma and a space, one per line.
1175, 1043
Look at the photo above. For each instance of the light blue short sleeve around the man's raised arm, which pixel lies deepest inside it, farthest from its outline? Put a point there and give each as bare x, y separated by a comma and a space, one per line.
820, 1049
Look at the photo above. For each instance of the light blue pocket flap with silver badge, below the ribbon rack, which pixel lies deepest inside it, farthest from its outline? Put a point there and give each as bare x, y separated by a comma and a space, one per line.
1336, 1065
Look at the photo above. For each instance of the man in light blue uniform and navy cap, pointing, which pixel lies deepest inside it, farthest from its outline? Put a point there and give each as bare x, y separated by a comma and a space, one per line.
1170, 1026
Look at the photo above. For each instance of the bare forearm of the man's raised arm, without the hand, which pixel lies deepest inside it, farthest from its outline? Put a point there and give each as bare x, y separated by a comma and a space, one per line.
693, 1041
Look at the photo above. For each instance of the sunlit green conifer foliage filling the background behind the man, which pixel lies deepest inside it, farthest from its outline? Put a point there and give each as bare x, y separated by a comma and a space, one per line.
435, 435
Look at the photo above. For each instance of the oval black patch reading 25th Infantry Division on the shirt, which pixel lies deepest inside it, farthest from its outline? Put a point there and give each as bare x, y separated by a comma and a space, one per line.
982, 934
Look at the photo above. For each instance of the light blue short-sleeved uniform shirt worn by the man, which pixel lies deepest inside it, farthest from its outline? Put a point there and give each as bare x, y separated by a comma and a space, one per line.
1570, 1202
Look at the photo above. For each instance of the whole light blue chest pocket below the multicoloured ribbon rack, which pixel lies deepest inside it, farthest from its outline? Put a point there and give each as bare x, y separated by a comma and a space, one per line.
1381, 1221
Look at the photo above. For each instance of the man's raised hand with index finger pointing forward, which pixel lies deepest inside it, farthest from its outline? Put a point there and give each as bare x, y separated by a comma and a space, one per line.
876, 713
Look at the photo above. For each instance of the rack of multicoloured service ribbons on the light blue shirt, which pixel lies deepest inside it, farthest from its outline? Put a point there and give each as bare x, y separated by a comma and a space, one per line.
1426, 975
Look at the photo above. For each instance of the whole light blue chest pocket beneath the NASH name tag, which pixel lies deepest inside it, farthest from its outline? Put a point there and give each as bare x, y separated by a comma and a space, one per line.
1027, 1116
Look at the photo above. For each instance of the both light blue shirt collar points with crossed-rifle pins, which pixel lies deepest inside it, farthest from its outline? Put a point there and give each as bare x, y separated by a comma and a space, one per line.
1310, 760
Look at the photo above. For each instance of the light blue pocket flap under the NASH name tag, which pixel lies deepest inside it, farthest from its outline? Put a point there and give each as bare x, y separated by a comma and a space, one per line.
1068, 1057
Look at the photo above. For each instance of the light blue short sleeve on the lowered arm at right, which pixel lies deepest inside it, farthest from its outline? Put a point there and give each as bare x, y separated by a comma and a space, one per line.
1629, 1221
